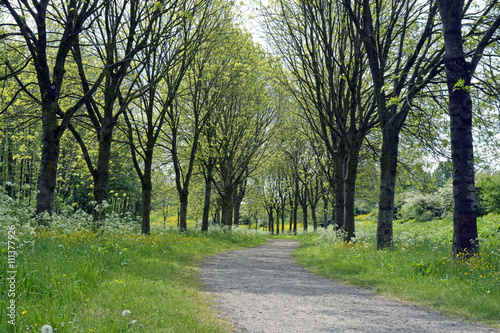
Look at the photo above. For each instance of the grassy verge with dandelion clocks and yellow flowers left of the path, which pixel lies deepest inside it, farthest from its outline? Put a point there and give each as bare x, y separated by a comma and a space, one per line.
115, 281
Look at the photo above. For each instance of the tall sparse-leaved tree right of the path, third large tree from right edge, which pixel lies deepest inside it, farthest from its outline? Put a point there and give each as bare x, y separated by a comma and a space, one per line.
323, 55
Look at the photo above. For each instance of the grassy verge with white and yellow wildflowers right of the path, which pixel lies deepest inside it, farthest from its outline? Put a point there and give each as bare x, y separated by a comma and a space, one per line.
418, 269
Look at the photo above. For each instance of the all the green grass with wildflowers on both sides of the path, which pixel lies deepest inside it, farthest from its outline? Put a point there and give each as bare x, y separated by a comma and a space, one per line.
78, 281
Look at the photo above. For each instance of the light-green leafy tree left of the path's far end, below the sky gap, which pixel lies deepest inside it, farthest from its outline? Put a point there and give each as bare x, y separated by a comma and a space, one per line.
245, 121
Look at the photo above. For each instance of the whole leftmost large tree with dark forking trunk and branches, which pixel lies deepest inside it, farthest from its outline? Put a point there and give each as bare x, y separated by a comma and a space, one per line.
69, 19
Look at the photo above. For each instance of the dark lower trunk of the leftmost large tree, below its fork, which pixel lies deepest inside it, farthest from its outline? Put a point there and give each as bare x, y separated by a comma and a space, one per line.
49, 161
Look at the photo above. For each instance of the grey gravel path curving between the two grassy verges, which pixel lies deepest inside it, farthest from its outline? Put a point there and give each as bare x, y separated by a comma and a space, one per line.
261, 289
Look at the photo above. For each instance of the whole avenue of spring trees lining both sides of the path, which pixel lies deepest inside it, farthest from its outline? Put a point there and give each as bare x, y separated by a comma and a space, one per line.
138, 106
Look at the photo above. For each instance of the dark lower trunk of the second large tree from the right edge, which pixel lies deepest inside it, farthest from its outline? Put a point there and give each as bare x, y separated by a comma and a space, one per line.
388, 172
